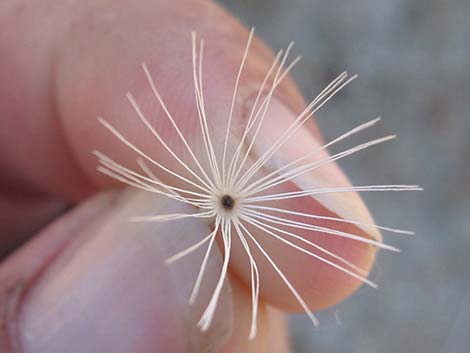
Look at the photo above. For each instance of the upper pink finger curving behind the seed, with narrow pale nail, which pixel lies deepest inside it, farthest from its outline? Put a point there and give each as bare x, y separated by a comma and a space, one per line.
92, 82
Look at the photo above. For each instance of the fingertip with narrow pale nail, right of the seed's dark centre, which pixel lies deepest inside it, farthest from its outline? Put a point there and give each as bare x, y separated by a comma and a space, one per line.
322, 242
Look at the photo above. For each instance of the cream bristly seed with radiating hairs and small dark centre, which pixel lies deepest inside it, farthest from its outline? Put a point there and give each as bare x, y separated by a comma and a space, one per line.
230, 194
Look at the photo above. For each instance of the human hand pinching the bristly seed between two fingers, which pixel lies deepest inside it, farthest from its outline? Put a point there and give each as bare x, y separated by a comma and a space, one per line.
91, 281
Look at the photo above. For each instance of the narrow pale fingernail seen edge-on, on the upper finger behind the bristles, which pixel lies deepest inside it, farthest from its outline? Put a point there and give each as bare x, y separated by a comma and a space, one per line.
347, 205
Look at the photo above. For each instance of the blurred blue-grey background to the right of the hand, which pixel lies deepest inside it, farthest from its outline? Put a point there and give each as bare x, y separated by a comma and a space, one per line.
413, 58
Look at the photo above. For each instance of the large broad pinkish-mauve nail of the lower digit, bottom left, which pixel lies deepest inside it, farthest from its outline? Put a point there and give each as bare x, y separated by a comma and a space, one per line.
111, 291
